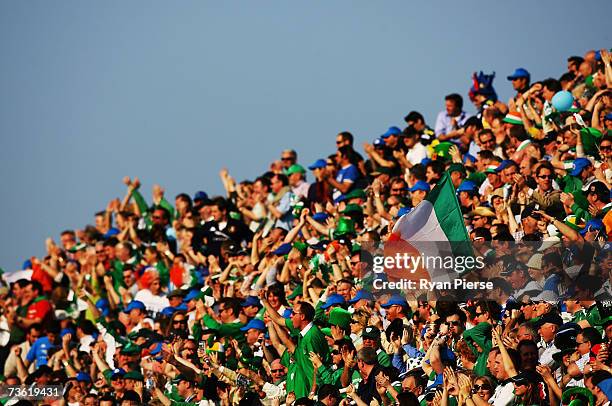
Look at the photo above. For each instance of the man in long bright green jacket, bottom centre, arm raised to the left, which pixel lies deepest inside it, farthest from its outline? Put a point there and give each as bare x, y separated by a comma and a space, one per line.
309, 339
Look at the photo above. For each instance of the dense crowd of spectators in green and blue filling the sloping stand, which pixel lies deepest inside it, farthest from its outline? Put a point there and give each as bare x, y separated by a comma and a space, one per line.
259, 296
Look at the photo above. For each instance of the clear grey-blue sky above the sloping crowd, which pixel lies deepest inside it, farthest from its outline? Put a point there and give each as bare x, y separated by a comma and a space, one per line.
173, 91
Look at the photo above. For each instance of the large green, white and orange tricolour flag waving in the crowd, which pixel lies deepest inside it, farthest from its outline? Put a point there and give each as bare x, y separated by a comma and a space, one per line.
435, 228
